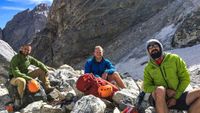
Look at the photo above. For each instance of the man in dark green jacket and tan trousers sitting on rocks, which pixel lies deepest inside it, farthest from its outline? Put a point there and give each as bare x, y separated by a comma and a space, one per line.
20, 75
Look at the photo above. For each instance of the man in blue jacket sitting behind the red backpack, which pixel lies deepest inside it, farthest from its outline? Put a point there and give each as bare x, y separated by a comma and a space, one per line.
101, 67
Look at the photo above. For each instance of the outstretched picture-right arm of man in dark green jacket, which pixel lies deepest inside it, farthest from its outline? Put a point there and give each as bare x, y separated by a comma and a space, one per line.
37, 63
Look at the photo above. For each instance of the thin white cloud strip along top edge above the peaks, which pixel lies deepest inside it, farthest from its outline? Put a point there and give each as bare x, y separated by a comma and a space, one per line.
32, 1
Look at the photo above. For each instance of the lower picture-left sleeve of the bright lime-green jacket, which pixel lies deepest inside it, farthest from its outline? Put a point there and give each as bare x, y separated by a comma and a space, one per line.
149, 86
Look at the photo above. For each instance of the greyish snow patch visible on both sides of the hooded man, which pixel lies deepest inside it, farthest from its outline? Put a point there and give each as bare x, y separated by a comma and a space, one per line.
135, 67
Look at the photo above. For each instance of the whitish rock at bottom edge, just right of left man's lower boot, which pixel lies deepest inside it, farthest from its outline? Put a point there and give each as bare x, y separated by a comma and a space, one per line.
33, 107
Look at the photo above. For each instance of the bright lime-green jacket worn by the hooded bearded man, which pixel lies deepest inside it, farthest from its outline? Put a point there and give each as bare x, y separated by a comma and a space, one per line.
172, 74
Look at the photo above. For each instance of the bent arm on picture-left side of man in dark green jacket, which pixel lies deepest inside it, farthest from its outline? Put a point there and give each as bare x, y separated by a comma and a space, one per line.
15, 70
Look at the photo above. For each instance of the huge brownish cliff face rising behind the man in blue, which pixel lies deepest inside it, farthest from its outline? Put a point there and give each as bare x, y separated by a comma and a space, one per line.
75, 27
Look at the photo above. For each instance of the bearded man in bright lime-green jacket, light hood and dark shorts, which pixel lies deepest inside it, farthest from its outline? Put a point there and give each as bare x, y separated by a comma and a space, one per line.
166, 78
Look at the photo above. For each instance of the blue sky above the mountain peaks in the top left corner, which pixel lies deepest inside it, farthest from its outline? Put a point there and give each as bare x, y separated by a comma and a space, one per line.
9, 8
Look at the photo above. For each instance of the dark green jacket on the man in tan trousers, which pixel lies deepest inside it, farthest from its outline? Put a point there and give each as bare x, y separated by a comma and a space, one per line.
19, 66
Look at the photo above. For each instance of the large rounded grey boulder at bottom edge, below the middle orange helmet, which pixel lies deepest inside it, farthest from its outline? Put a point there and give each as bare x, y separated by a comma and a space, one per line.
89, 104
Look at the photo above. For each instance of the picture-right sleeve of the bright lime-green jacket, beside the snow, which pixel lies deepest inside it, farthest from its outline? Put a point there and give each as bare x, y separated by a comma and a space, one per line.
184, 77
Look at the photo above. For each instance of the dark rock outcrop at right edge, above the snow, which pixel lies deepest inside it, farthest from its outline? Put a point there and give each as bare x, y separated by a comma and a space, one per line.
188, 34
